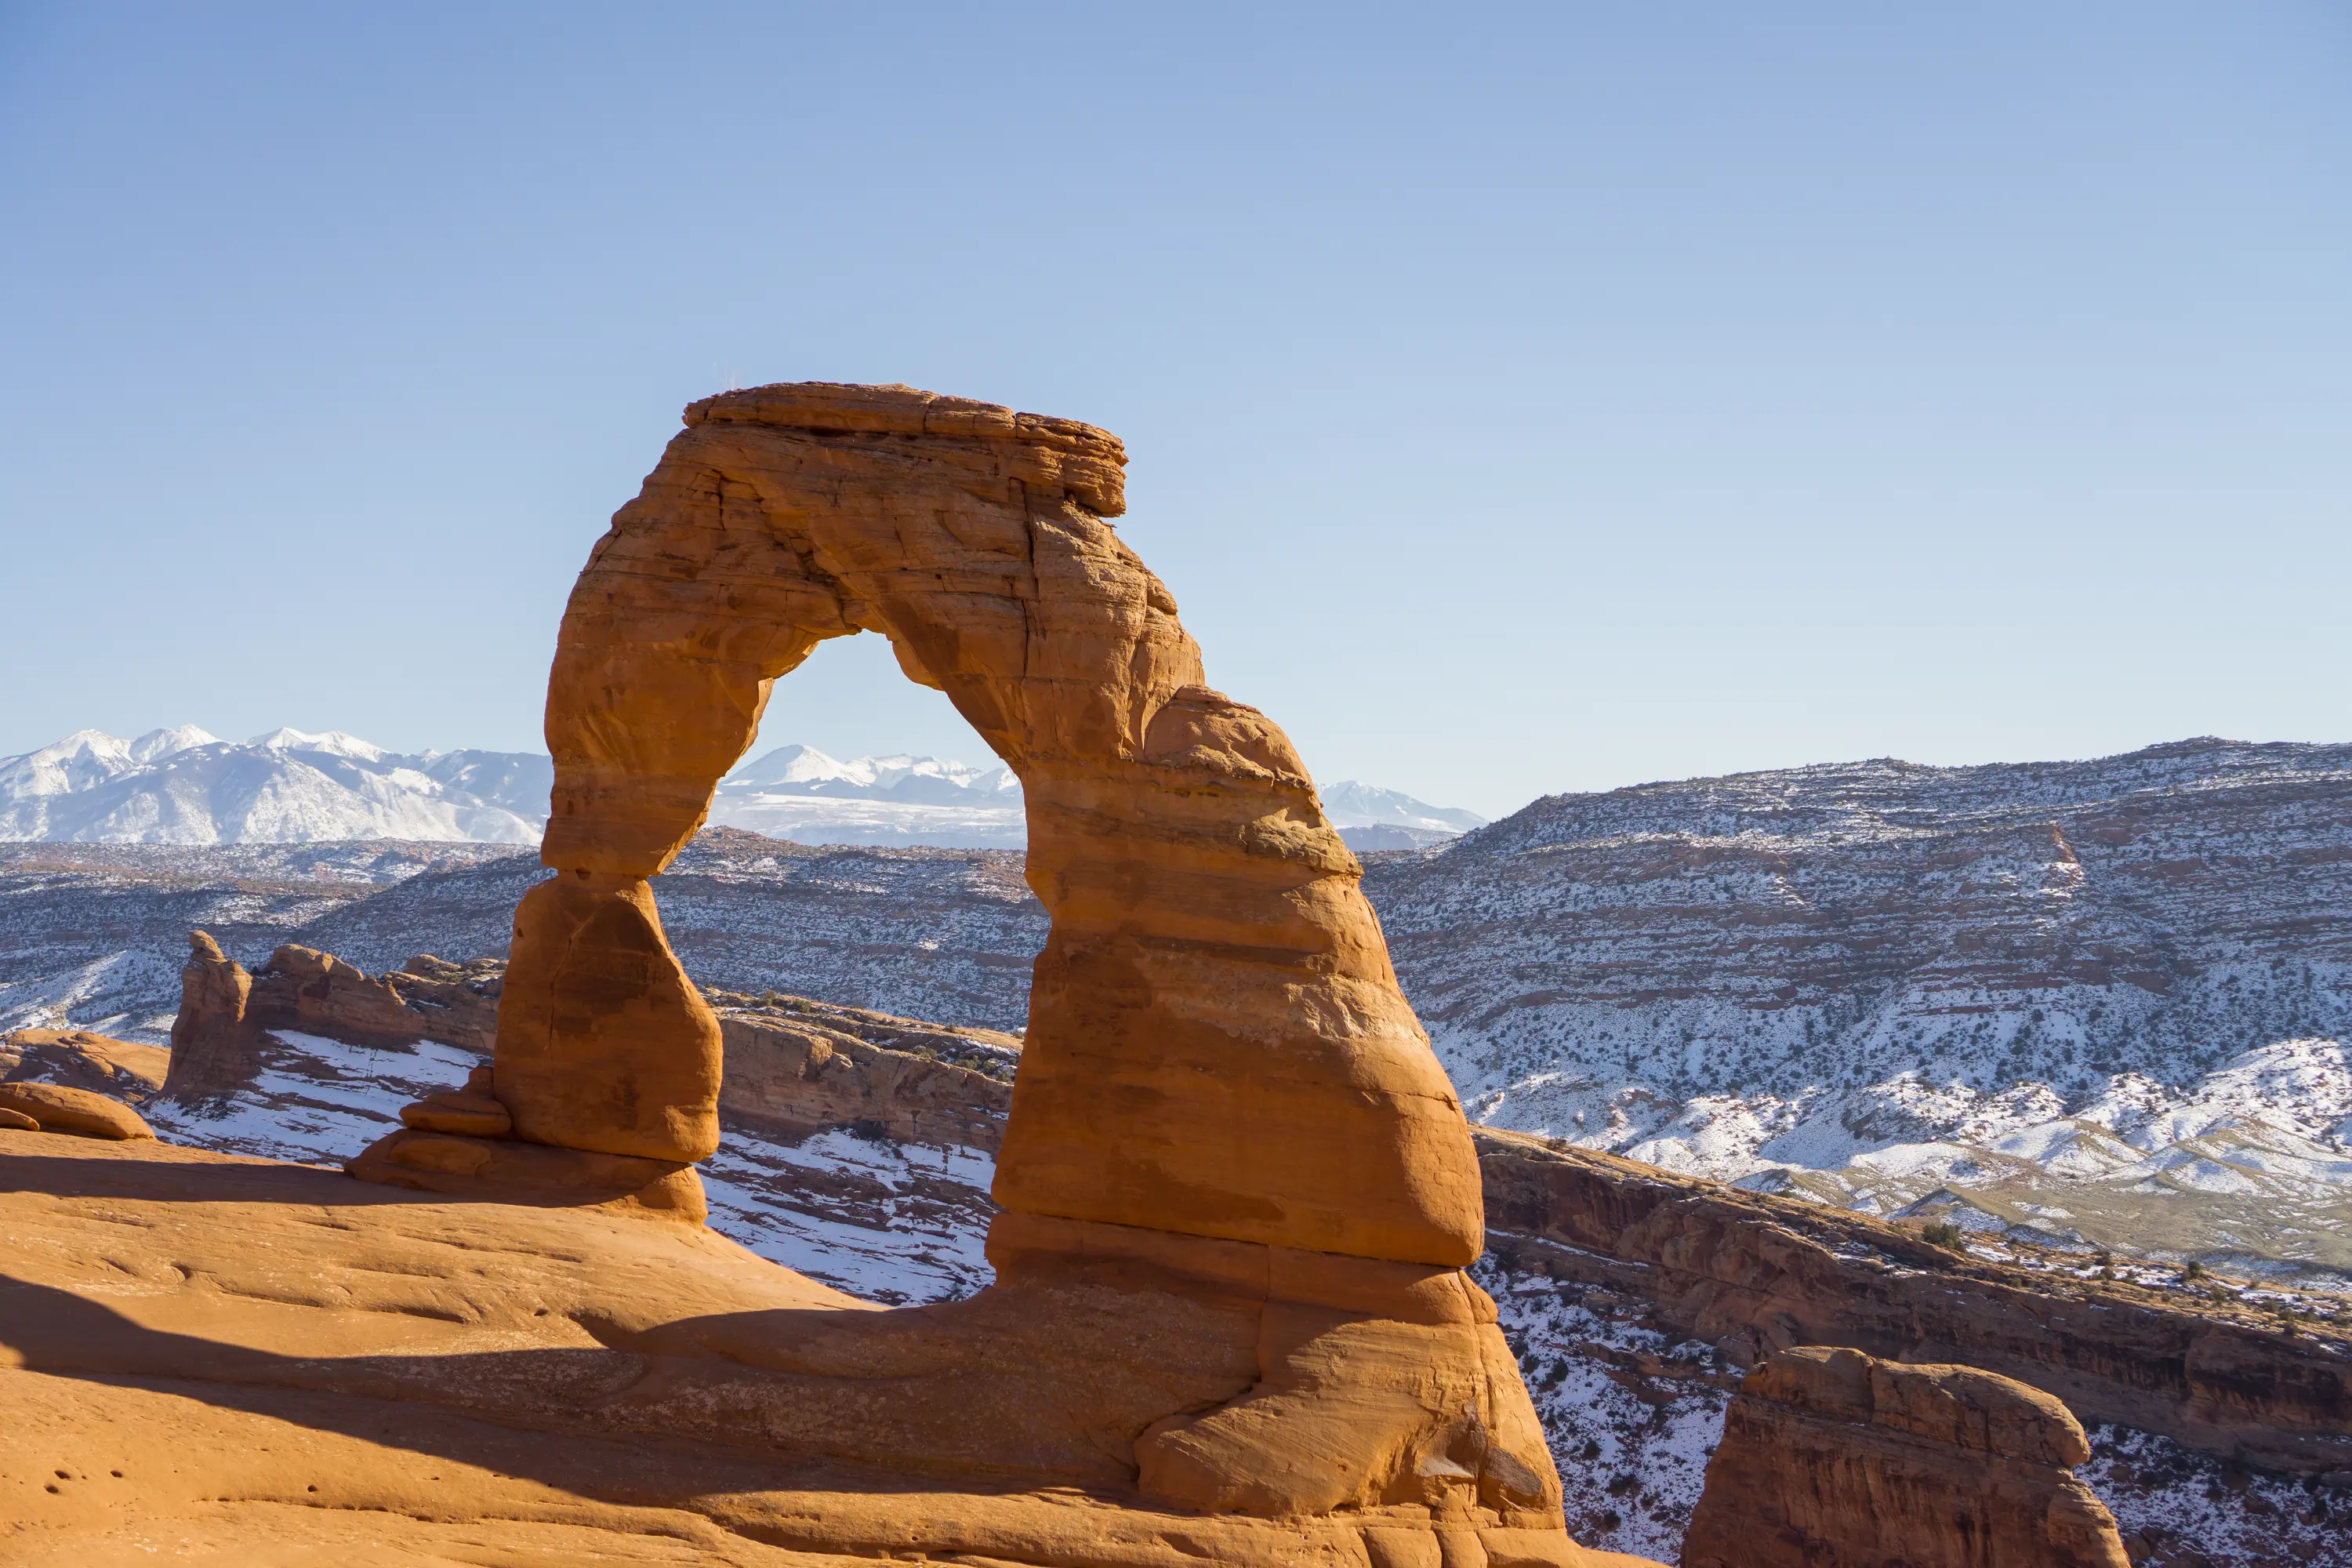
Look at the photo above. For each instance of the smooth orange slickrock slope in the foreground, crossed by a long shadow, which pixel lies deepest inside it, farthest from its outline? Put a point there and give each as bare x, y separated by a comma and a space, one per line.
253, 1360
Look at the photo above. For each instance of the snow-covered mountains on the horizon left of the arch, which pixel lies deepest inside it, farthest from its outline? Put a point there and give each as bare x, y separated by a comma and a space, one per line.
185, 786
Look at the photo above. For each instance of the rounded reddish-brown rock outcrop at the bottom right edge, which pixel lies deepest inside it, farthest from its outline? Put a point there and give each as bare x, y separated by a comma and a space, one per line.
1840, 1461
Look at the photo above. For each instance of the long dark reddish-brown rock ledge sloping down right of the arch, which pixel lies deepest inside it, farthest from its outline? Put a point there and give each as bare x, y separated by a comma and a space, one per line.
1756, 1275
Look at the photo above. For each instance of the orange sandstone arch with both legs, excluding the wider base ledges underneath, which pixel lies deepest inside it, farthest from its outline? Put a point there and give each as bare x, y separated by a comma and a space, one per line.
1217, 1040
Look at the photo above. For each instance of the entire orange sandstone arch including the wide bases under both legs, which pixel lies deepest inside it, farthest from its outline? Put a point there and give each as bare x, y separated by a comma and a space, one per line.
1236, 1188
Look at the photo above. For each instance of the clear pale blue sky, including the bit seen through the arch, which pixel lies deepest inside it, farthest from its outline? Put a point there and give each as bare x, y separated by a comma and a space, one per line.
1521, 398
